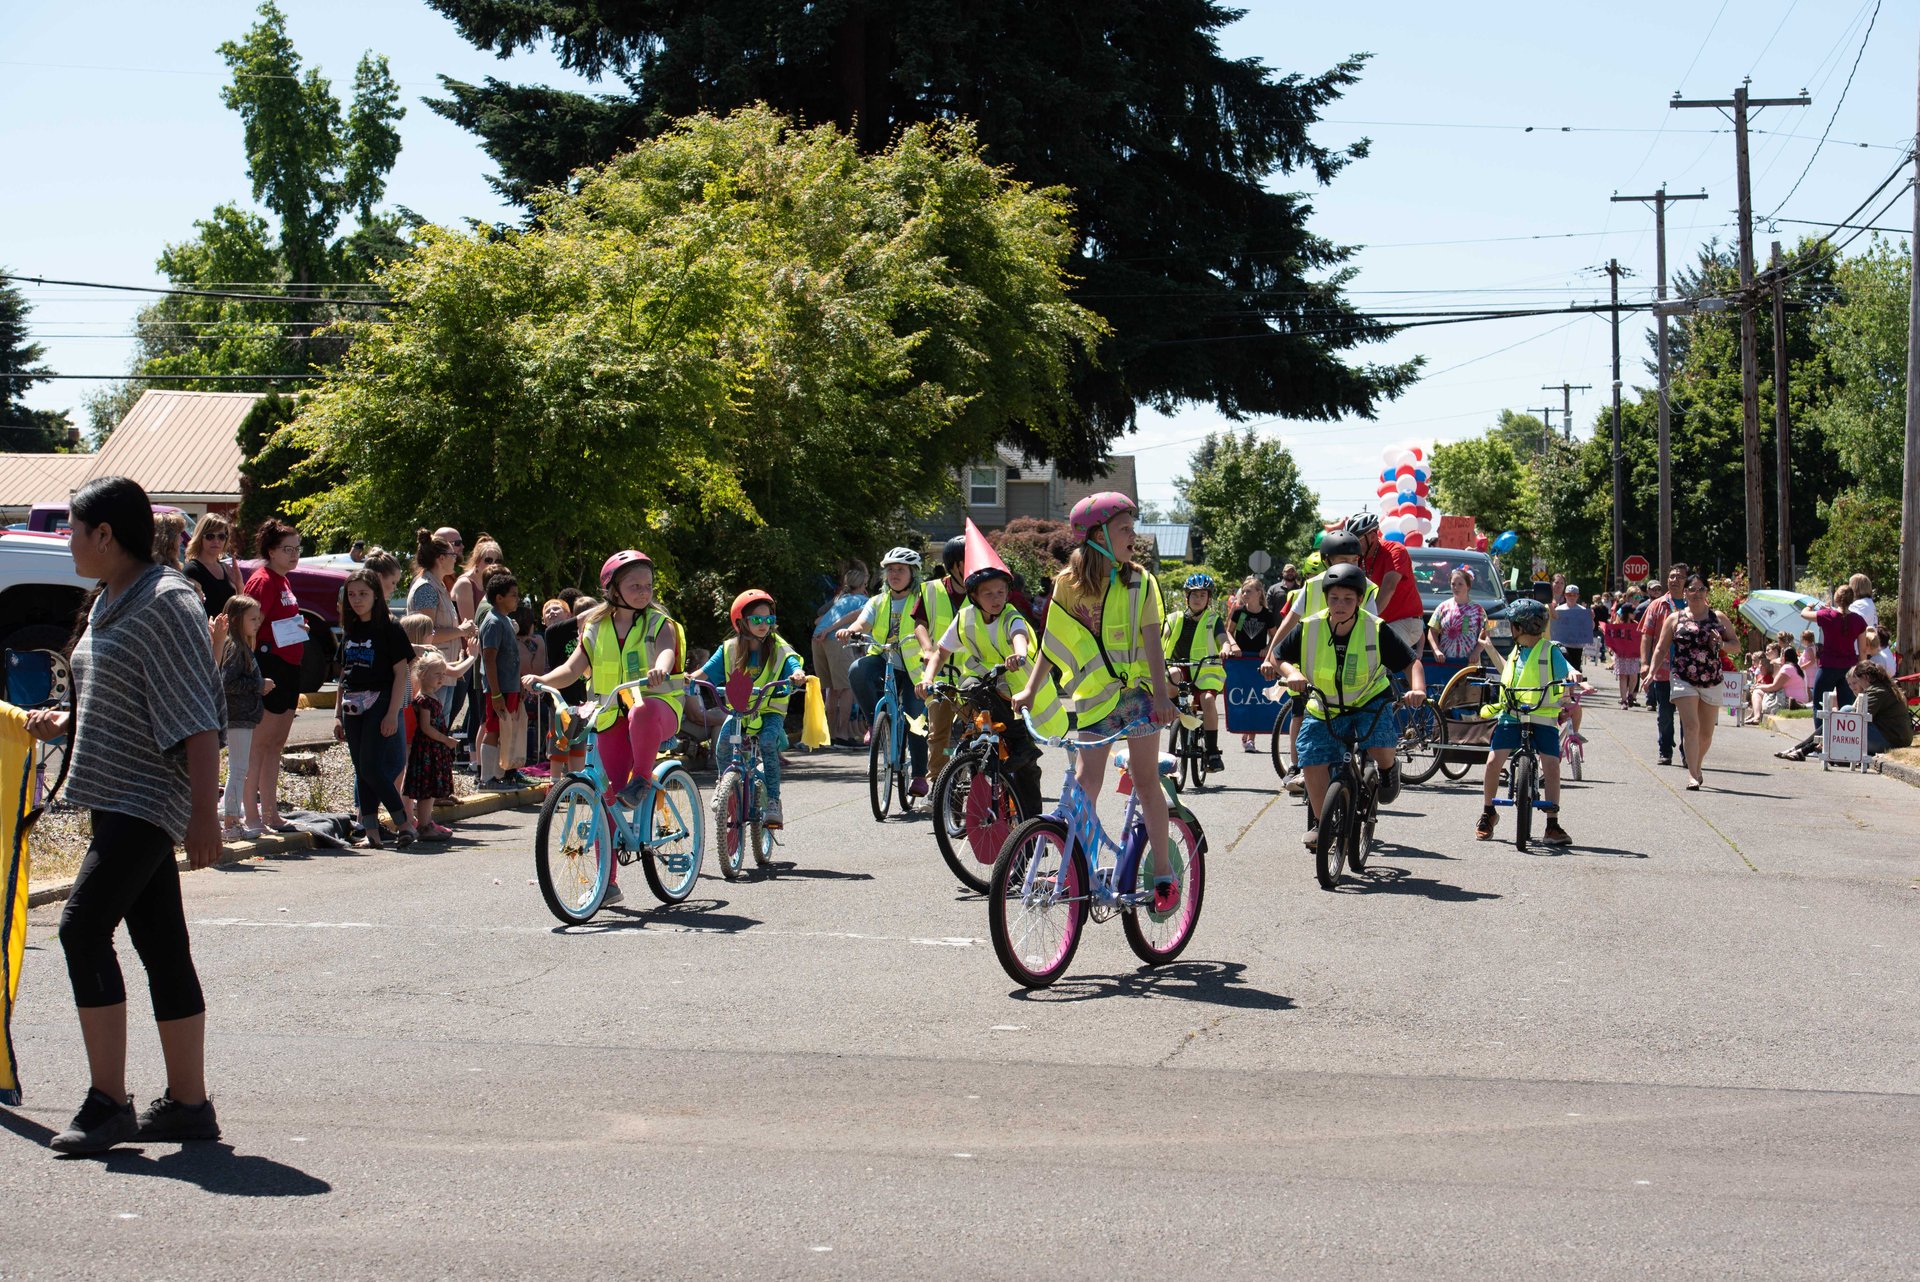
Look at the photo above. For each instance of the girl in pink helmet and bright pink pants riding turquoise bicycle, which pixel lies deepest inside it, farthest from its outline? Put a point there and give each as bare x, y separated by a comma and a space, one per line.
627, 638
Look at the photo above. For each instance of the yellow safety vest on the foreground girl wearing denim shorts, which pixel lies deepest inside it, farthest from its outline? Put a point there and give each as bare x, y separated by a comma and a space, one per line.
1095, 667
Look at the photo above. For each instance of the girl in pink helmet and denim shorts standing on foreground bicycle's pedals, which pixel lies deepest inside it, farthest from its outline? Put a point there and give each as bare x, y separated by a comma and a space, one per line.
1103, 638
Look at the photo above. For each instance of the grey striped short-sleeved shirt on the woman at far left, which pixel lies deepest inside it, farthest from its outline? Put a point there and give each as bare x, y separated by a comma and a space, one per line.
147, 684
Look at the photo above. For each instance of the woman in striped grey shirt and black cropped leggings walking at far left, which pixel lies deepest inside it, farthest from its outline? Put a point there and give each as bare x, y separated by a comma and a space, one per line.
147, 761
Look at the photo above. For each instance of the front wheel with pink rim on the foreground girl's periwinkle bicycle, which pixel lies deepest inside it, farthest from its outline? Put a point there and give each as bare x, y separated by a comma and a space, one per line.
1036, 934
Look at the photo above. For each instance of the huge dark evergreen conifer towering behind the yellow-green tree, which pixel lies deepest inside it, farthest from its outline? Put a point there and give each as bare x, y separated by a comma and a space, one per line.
1178, 160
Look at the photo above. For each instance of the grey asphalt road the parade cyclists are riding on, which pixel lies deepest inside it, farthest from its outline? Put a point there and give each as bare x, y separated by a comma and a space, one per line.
1683, 1049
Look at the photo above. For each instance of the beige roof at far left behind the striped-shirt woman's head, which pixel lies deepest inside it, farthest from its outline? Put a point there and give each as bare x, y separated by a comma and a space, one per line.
181, 446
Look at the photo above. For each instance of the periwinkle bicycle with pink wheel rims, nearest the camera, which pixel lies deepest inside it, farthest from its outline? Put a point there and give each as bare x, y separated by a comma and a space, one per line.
1051, 876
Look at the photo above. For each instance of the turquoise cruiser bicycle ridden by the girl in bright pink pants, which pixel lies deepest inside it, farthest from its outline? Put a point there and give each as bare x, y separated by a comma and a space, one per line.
583, 830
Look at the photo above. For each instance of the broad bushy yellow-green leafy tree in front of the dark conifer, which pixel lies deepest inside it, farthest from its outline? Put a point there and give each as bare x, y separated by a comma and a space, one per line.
742, 346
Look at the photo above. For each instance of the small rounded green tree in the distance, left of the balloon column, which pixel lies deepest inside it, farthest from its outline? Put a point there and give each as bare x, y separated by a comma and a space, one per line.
1245, 494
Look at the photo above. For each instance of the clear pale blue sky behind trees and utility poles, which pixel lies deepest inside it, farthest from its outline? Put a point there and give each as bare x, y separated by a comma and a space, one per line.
118, 141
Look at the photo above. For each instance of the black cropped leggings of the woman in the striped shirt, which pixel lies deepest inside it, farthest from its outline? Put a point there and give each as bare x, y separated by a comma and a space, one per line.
130, 876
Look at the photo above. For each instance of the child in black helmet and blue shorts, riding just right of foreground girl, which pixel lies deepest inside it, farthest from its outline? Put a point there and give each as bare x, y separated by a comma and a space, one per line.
1347, 655
